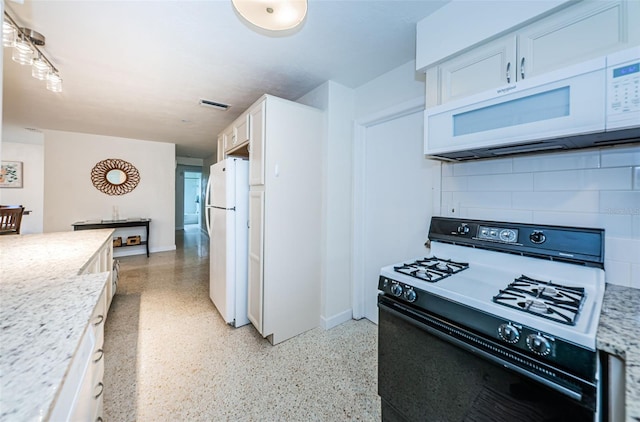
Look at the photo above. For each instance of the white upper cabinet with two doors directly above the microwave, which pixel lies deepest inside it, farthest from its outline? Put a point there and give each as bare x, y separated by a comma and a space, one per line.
578, 33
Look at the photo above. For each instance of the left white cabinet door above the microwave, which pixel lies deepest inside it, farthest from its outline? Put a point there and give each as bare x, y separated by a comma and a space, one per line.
488, 66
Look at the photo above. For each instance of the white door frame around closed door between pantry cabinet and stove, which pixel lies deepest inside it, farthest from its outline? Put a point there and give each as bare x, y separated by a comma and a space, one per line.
359, 189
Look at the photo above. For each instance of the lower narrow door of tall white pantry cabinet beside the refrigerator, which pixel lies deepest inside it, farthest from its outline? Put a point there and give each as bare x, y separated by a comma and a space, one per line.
256, 270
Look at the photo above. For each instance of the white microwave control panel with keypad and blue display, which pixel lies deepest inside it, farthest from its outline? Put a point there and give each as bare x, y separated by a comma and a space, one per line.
623, 93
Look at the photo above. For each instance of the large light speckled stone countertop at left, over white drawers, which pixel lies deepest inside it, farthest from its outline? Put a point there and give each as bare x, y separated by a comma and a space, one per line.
45, 307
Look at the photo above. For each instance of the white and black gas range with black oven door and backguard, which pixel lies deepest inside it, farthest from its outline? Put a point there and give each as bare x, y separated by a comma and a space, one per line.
525, 297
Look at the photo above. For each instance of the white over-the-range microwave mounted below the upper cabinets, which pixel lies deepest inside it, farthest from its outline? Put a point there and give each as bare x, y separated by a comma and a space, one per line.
595, 103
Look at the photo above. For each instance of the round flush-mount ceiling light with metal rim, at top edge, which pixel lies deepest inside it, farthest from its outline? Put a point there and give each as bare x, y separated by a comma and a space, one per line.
273, 15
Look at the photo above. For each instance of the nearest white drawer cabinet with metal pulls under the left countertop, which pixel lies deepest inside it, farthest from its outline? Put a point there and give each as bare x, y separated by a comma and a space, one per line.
81, 395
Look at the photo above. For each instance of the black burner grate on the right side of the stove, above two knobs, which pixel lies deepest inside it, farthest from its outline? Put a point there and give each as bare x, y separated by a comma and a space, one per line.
546, 299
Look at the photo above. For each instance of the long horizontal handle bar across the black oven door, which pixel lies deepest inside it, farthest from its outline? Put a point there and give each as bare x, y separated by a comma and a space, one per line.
403, 315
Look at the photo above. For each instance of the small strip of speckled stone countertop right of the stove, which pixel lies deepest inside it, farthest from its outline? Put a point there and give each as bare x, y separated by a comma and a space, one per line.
619, 335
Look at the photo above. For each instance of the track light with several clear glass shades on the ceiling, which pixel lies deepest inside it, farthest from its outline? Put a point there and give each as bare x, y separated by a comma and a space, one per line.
25, 42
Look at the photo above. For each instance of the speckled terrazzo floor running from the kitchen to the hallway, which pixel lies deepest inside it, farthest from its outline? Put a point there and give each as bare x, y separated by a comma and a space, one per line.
170, 357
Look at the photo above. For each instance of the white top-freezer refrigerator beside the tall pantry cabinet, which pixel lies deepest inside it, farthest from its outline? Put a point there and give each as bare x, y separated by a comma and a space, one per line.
227, 204
